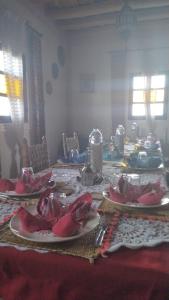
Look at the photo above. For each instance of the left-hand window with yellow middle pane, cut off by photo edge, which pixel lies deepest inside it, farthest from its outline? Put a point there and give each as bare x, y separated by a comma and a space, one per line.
10, 86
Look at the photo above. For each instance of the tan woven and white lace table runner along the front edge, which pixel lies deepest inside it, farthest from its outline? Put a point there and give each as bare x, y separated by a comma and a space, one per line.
132, 229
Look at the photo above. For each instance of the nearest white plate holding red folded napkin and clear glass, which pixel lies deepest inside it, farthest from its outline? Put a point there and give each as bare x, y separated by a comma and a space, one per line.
51, 222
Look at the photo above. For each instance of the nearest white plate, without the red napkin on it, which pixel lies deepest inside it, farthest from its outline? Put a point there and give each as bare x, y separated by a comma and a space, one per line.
46, 236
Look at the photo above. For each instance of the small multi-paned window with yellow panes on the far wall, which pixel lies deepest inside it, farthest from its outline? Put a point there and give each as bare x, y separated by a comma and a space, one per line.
148, 96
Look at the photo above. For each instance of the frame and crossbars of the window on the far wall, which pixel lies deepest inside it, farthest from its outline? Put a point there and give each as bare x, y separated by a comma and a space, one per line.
147, 100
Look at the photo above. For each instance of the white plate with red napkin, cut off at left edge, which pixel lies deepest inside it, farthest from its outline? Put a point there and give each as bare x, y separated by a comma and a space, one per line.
20, 188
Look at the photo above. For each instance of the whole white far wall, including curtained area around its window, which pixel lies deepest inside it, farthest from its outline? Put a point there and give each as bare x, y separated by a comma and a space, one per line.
111, 59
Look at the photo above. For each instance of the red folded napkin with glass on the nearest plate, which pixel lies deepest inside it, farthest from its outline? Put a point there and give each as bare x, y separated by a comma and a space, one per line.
51, 215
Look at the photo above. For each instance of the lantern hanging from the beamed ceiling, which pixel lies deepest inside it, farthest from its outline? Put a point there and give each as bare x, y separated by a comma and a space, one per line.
125, 20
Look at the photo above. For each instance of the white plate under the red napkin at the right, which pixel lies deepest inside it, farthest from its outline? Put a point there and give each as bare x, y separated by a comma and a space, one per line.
164, 201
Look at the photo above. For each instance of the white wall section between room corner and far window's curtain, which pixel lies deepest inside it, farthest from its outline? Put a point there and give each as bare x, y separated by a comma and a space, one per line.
90, 56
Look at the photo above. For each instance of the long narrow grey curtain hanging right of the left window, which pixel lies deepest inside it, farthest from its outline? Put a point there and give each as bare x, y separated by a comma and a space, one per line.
36, 114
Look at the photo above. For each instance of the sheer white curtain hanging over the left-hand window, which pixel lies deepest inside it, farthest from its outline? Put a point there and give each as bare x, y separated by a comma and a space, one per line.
11, 133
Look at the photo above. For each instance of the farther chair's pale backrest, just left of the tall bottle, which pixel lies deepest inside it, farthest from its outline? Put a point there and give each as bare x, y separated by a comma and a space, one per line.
69, 143
